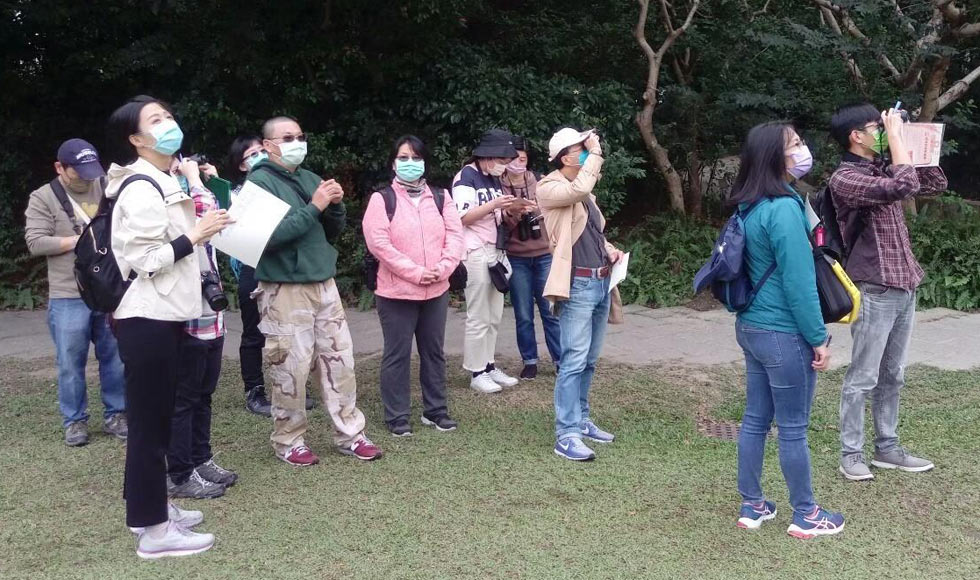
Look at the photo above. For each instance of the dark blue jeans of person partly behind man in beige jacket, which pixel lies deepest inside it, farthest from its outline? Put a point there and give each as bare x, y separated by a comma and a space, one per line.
527, 288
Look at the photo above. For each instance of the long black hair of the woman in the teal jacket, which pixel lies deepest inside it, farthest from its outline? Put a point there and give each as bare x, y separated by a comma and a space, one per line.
762, 170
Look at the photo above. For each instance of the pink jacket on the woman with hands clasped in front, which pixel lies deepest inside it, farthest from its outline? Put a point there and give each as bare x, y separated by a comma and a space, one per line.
415, 239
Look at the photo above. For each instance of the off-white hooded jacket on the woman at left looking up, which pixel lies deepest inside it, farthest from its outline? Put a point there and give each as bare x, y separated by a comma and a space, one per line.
143, 225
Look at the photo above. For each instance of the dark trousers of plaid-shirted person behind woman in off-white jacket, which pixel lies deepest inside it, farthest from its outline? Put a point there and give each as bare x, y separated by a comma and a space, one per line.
190, 428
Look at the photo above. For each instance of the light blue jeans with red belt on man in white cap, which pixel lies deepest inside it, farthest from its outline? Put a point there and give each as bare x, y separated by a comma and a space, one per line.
582, 319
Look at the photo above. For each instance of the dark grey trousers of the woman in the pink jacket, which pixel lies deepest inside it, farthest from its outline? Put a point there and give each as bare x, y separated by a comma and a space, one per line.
401, 320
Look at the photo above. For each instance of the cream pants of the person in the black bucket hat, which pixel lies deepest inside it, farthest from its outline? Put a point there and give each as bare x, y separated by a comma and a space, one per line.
484, 309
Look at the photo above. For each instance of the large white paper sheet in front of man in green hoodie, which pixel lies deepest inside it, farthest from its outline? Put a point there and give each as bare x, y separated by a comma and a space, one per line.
257, 213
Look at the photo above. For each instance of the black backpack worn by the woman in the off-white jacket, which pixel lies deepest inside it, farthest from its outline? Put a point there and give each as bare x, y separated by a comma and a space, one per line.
97, 275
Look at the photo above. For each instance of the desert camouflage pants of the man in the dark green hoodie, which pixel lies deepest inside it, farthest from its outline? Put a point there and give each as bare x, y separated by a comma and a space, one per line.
305, 329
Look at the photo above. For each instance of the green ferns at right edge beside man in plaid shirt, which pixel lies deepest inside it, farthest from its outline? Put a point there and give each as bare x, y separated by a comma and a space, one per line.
946, 239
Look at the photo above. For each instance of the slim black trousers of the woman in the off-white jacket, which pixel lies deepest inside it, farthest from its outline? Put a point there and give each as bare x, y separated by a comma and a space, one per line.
149, 350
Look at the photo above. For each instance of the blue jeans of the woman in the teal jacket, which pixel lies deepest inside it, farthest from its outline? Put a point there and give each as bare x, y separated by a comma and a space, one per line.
781, 385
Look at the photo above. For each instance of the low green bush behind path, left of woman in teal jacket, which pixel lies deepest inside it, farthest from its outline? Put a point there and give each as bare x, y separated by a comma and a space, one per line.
666, 252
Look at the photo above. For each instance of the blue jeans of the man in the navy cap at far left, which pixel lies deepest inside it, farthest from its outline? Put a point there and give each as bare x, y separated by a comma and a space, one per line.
72, 327
